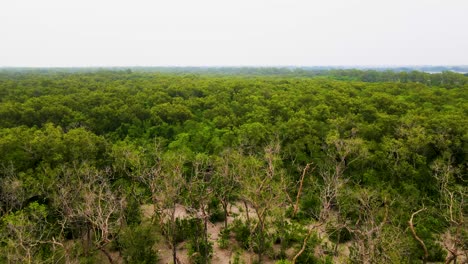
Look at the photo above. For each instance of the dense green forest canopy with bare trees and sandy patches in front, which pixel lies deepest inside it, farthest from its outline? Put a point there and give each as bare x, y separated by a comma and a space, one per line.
337, 166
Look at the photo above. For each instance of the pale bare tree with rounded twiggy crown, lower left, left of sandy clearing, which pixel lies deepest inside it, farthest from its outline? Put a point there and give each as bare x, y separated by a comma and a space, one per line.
87, 200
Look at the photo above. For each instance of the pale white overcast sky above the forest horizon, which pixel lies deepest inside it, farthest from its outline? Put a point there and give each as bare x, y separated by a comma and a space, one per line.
63, 33
